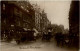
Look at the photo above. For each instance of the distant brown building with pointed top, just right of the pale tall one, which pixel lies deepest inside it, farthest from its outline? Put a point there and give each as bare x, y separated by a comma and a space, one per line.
45, 23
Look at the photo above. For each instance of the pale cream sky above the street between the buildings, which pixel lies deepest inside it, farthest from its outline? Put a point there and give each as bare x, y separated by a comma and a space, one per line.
57, 10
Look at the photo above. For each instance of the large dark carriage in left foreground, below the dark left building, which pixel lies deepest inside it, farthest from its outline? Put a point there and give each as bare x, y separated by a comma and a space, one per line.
24, 35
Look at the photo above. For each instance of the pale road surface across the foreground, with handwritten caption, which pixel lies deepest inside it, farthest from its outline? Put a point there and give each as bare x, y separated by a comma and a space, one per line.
32, 46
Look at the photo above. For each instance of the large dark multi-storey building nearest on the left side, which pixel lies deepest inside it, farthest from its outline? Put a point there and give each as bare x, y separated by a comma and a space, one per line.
15, 16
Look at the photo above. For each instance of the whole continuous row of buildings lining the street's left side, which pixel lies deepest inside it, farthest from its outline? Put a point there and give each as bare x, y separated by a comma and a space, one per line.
22, 15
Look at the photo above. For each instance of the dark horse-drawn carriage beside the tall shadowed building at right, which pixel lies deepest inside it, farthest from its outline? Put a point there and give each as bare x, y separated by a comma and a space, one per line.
62, 39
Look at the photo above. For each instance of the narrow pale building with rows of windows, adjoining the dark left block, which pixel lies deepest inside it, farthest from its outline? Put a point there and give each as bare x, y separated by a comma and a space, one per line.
37, 17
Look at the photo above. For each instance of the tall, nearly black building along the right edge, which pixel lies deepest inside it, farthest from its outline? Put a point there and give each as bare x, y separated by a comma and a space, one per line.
74, 23
